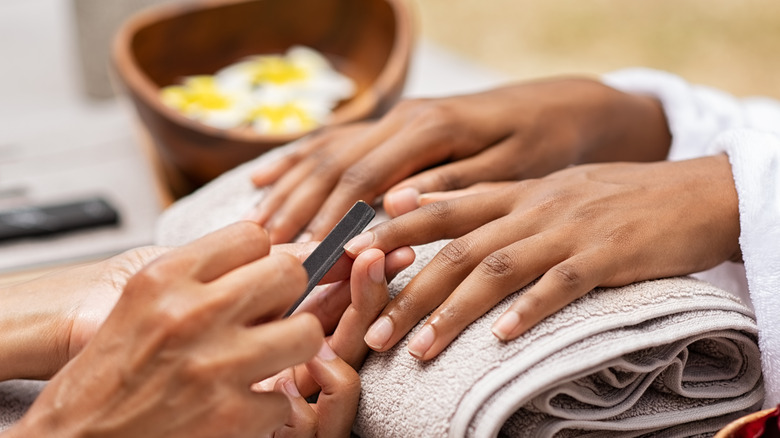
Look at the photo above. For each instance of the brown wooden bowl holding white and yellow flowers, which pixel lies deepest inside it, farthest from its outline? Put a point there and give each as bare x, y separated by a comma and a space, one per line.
368, 40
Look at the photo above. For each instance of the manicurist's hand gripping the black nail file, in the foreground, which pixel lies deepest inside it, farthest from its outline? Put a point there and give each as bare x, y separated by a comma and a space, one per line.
177, 355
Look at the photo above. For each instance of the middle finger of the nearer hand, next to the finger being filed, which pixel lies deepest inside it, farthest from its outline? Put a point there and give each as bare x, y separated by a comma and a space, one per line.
440, 278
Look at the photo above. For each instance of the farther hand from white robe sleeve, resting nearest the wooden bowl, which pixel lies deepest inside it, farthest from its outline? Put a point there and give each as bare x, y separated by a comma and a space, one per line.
509, 133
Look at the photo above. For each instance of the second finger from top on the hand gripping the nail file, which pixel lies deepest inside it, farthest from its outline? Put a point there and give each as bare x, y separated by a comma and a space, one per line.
262, 290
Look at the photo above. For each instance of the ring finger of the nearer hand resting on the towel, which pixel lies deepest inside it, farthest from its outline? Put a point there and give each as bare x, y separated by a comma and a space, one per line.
498, 275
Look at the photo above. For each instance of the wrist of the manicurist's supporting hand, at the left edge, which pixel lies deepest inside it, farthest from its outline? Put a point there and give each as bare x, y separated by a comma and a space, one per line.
50, 319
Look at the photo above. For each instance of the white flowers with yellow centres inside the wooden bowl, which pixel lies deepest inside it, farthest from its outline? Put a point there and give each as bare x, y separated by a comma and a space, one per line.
274, 94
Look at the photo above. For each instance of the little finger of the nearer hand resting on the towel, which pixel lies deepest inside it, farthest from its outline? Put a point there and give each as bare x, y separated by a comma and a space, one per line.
561, 285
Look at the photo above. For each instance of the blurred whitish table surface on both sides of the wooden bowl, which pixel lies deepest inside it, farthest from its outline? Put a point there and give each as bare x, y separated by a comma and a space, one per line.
57, 145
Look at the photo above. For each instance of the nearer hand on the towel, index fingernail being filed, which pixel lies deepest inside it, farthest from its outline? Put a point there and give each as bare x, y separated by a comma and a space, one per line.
587, 226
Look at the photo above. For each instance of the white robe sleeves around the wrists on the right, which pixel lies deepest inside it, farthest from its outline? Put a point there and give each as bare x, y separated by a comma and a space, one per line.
705, 121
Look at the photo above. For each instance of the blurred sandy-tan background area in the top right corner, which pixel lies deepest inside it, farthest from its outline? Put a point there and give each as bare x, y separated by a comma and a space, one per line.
728, 44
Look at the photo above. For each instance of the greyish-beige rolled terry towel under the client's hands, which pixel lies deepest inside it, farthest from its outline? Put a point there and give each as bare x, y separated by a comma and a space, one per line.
673, 357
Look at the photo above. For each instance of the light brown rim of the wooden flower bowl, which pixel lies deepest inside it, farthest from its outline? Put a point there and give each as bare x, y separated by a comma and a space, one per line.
359, 107
